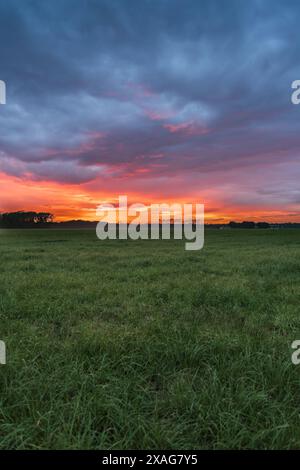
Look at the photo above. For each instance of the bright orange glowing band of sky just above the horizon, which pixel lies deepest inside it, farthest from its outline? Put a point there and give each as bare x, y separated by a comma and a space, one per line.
73, 202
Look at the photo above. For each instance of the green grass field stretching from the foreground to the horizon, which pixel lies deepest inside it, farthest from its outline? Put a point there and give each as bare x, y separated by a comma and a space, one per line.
124, 344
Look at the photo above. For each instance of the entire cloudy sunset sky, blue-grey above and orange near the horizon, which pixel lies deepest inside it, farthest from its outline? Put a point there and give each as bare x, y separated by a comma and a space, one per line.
159, 100
